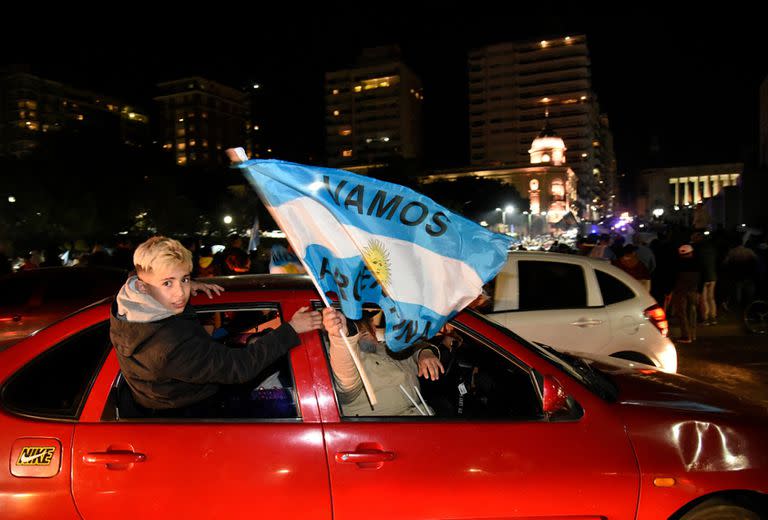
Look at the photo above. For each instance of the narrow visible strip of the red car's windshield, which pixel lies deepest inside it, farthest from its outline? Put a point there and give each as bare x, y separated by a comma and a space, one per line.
580, 369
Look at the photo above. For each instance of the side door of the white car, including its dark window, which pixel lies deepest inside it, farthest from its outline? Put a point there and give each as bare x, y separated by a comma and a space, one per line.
552, 301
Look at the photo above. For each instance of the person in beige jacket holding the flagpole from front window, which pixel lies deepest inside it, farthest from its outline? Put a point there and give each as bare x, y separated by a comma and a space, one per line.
394, 377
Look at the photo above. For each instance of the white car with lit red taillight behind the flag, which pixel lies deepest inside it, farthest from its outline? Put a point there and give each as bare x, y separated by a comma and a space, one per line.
579, 304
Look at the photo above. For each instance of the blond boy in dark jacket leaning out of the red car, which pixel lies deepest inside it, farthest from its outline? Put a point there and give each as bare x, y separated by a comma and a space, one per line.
168, 360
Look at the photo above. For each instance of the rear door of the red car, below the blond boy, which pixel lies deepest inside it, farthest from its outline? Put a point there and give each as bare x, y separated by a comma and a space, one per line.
201, 468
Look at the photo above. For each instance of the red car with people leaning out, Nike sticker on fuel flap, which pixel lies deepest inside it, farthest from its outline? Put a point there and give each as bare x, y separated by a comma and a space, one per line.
520, 432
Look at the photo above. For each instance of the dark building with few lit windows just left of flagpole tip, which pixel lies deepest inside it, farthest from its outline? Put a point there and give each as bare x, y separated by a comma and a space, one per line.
200, 118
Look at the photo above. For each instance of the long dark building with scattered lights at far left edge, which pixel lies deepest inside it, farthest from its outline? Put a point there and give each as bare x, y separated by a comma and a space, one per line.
31, 106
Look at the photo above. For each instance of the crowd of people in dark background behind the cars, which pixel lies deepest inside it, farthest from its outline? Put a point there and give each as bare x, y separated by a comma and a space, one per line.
693, 274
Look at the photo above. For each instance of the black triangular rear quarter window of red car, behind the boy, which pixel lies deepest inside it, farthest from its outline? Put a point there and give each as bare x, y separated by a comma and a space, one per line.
55, 384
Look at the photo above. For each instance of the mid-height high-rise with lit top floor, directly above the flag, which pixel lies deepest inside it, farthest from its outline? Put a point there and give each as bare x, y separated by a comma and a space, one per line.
373, 111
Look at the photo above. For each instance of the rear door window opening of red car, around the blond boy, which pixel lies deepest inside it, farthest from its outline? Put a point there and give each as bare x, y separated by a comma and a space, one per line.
269, 395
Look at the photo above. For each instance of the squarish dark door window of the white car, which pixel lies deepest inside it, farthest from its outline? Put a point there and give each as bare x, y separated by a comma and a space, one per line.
551, 285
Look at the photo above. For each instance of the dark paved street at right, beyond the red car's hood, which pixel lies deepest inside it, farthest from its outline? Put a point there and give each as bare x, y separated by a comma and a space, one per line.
727, 356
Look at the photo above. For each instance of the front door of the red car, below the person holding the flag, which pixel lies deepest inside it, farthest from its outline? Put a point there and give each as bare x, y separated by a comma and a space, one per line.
485, 464
